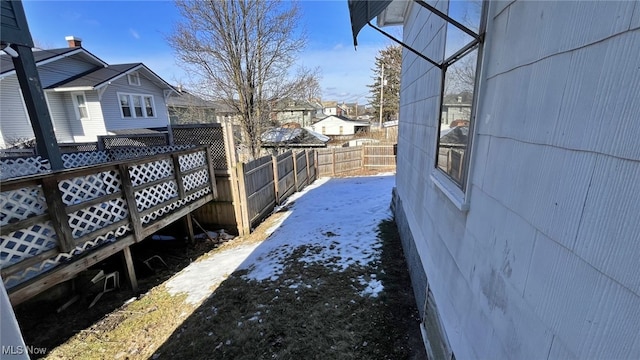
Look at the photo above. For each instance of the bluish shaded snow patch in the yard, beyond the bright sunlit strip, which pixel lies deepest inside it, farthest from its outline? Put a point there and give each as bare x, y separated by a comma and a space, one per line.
339, 217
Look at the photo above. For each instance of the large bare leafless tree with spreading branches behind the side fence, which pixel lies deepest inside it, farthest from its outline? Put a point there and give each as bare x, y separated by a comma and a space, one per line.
242, 51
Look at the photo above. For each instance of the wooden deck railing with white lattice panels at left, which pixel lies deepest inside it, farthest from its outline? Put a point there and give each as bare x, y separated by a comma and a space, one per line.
51, 219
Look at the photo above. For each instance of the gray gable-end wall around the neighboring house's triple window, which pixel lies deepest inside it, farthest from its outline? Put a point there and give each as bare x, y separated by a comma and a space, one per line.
111, 106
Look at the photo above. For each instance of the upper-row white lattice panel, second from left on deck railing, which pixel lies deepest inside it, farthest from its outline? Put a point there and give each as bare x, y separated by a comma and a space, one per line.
84, 188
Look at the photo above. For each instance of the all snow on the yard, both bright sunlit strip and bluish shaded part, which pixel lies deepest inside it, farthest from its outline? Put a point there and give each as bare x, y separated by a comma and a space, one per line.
335, 220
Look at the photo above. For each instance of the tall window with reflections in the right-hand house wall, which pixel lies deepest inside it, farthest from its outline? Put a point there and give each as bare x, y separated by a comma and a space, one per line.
458, 91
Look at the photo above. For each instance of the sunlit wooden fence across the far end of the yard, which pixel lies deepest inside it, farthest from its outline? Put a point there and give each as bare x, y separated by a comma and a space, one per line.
335, 161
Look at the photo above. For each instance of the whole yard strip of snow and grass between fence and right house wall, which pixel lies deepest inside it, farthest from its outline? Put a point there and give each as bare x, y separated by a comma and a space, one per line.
326, 279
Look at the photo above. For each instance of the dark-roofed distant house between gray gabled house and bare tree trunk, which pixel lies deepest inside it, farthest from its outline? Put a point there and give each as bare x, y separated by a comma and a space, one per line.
186, 108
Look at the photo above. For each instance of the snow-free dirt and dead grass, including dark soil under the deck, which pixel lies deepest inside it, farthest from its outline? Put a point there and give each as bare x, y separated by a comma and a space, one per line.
243, 318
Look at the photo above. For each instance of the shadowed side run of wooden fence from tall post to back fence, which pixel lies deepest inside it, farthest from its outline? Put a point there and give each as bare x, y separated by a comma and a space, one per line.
268, 181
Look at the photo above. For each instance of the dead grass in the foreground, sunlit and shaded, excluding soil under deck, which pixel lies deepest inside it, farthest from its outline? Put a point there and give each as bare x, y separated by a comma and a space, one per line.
309, 312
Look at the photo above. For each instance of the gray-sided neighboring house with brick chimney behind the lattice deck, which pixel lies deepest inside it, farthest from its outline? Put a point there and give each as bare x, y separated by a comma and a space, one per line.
86, 96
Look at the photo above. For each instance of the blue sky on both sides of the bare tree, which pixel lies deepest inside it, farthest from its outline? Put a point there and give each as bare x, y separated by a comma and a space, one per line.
135, 31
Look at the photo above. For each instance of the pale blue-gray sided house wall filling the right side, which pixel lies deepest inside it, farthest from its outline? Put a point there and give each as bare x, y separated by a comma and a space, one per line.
544, 263
